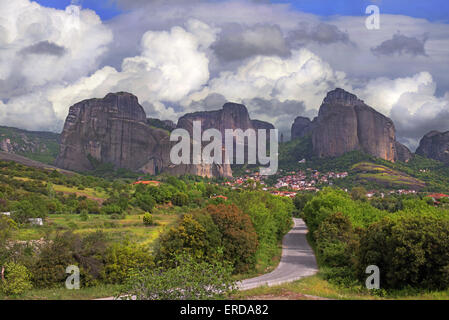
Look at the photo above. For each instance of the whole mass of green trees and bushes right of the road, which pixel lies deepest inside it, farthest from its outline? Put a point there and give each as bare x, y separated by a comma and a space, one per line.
408, 239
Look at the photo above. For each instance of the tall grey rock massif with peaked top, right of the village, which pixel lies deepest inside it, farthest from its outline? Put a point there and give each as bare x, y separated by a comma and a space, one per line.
345, 123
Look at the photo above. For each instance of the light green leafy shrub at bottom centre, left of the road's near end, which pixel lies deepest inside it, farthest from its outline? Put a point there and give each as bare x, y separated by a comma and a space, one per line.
188, 280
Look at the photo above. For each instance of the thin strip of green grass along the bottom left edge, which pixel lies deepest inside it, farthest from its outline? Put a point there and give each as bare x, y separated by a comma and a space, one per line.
97, 292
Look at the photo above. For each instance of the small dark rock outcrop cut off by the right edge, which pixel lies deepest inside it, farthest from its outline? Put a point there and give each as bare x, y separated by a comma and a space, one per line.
435, 145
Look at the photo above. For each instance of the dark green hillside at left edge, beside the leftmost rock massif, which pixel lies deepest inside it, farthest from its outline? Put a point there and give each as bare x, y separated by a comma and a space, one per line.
39, 146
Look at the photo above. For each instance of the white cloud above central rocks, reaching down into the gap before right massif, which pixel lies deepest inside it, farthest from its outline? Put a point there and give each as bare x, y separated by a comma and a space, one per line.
275, 89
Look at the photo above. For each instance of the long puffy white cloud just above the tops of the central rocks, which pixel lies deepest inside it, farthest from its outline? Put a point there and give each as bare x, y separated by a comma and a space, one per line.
301, 77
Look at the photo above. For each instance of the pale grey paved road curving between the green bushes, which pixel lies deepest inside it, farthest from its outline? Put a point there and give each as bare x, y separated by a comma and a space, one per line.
298, 261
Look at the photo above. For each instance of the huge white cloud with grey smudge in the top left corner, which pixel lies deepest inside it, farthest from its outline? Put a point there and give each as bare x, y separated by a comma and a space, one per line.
42, 45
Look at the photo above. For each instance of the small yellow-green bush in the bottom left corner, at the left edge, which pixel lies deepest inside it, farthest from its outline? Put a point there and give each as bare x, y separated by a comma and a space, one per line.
17, 279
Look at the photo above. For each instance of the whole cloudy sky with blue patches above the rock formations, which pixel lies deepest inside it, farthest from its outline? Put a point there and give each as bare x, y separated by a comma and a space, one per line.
278, 57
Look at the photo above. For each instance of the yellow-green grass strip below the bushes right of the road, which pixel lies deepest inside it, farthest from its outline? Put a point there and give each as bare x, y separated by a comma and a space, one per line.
317, 287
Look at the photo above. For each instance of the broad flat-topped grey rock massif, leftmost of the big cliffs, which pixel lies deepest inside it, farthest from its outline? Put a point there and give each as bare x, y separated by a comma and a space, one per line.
115, 130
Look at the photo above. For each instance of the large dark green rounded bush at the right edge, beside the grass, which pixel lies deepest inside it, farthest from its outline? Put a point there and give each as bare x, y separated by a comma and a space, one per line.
409, 250
